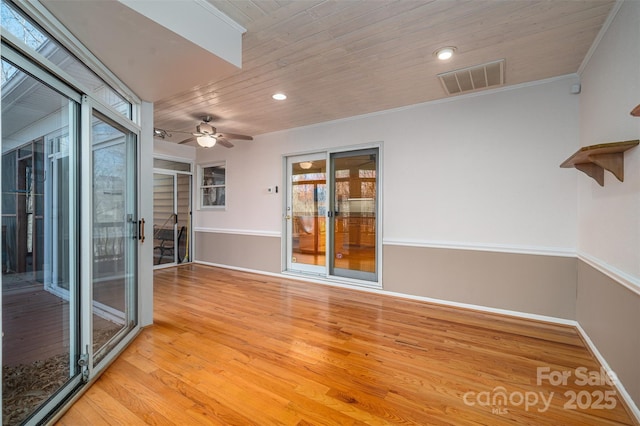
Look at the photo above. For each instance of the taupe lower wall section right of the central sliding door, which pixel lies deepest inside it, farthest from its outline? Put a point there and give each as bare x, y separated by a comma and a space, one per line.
537, 284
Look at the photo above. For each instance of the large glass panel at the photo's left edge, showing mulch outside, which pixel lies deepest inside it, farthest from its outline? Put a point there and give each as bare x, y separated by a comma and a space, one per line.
41, 342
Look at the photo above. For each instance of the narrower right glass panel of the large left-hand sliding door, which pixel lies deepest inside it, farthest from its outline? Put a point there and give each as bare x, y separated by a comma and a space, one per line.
114, 231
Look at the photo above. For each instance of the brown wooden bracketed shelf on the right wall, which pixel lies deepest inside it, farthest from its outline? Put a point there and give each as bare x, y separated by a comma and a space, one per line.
595, 159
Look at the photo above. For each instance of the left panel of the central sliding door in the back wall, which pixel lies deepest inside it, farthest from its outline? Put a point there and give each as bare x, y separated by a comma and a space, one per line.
306, 214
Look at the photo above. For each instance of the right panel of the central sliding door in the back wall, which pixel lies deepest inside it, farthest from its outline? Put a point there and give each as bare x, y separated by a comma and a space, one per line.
354, 210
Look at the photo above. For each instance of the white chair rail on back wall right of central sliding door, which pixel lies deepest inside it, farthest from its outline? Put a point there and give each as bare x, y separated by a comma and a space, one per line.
499, 248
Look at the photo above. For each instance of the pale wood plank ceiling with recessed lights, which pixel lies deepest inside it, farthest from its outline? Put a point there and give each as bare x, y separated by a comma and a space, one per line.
339, 58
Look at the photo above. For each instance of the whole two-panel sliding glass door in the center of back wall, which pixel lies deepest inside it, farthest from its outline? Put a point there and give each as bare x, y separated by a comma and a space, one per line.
331, 215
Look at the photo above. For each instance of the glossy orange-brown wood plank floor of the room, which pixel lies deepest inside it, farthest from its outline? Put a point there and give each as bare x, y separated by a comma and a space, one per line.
232, 348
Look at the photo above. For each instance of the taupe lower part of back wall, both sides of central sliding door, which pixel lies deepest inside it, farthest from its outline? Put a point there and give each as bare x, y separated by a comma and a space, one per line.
528, 283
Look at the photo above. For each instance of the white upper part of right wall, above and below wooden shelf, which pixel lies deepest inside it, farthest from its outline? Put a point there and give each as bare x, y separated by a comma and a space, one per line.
609, 216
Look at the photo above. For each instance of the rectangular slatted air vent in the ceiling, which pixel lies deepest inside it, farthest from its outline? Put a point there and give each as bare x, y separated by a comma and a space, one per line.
473, 78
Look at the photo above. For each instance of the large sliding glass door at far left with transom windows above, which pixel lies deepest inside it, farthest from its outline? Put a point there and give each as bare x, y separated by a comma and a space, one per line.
70, 227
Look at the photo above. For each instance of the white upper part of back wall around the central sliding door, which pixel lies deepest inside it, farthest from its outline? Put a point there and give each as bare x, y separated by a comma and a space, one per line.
480, 170
